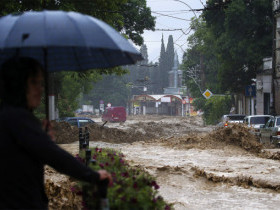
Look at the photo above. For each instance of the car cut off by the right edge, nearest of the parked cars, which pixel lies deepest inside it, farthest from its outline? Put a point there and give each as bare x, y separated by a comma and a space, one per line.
270, 132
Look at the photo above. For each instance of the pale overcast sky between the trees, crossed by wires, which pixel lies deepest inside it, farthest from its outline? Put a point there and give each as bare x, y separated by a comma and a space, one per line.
170, 15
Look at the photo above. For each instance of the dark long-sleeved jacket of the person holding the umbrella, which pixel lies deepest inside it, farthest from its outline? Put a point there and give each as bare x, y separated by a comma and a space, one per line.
24, 150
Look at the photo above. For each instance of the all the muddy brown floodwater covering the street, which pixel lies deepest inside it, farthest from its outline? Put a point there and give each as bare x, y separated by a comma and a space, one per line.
196, 166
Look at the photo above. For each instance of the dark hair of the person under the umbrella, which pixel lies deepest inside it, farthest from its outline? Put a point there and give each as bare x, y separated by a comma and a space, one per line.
14, 74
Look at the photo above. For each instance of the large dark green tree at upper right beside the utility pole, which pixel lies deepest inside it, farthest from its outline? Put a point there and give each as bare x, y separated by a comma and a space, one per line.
243, 33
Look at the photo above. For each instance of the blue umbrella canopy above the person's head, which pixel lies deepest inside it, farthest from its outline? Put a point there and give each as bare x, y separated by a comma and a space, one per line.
64, 41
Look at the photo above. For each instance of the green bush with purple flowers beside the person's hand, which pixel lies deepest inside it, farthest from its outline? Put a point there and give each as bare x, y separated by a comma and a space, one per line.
132, 189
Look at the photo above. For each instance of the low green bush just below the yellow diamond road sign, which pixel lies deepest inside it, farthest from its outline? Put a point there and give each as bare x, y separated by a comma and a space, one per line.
214, 108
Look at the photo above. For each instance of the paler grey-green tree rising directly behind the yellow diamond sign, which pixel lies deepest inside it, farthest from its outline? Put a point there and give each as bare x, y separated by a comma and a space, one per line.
200, 65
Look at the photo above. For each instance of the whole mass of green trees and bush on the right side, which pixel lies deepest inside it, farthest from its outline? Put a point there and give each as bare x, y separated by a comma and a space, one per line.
226, 49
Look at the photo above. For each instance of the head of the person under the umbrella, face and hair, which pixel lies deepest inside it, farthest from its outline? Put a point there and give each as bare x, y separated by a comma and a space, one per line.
21, 82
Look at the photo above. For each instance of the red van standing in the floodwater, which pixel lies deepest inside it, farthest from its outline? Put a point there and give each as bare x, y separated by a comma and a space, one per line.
114, 114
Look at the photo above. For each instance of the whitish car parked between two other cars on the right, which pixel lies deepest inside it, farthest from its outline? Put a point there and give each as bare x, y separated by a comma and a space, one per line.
256, 121
